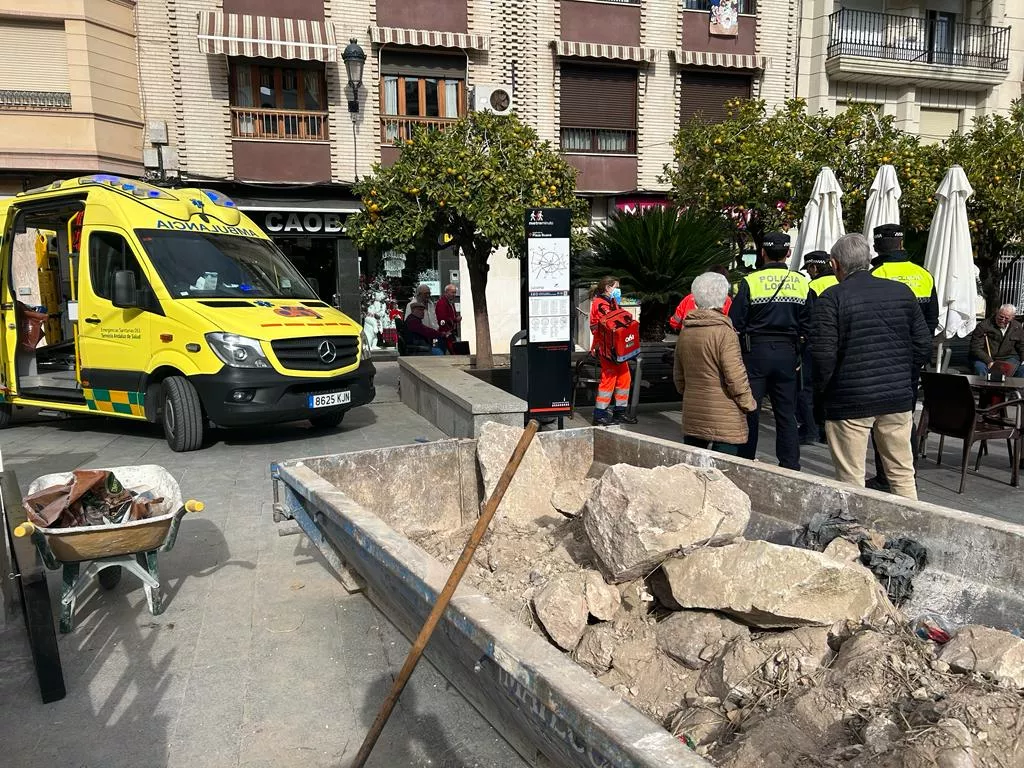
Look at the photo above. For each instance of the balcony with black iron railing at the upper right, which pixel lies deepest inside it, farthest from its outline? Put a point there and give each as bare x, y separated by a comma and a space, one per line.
929, 52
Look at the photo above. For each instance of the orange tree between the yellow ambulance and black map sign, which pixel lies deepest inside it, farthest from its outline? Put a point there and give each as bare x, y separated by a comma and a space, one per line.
473, 184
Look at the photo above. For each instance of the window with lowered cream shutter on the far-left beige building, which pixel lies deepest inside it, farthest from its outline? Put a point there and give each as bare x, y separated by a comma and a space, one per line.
33, 66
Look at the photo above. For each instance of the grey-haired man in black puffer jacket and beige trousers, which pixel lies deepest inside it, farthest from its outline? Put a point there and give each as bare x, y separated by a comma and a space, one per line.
868, 338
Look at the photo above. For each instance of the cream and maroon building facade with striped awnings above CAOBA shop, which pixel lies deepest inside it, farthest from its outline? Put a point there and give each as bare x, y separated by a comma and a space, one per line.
258, 105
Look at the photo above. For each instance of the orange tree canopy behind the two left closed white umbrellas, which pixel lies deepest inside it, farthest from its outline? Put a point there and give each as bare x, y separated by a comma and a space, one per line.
761, 165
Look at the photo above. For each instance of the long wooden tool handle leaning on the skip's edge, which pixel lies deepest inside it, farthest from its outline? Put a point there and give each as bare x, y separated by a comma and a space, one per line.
443, 601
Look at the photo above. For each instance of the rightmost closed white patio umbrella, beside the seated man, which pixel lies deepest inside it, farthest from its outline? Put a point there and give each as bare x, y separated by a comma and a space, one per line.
950, 258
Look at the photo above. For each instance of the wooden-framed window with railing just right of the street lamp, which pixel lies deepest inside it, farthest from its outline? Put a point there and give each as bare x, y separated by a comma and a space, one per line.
420, 91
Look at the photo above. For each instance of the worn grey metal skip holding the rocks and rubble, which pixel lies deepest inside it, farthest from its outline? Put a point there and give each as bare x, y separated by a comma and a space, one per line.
357, 507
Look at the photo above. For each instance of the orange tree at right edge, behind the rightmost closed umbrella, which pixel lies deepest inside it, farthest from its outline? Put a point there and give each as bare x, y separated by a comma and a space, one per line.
993, 156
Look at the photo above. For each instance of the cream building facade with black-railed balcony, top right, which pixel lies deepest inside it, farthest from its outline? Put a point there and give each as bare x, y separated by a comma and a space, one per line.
934, 65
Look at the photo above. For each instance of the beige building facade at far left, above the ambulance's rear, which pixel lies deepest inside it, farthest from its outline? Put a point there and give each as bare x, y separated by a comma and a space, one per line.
70, 98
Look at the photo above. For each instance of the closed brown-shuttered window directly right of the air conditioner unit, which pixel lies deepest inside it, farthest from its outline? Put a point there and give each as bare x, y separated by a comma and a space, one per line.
599, 110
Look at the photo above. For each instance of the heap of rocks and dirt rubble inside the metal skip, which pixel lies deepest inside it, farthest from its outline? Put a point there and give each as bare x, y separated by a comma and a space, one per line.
755, 655
